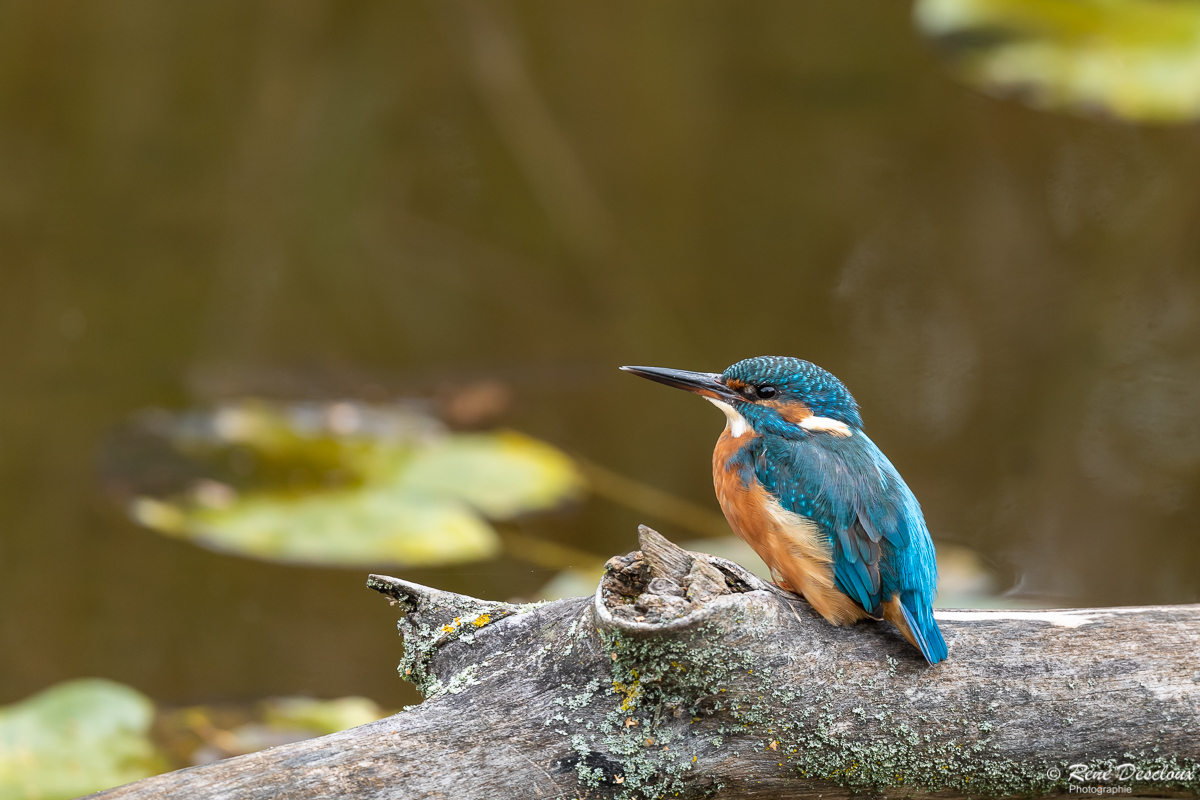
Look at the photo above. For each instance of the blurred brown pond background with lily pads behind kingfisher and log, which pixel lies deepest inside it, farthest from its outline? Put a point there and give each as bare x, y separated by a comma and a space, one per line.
981, 214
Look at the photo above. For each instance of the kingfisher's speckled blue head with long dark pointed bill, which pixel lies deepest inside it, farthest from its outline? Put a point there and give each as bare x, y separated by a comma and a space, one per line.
771, 394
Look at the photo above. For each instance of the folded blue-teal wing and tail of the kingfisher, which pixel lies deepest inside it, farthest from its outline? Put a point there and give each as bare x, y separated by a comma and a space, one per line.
881, 546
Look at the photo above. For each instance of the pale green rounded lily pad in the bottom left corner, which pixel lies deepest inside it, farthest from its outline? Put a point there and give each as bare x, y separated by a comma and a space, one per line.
76, 738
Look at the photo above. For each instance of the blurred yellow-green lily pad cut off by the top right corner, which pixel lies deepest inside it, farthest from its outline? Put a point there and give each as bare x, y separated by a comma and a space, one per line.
1135, 59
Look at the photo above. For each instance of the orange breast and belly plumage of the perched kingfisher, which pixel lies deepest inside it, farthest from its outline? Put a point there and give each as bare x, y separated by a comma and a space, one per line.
791, 545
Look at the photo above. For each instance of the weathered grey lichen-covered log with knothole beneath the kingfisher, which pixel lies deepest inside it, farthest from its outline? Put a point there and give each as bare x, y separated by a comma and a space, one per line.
687, 676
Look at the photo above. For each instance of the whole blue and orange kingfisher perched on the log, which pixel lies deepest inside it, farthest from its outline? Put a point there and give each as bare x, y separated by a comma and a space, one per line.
818, 501
